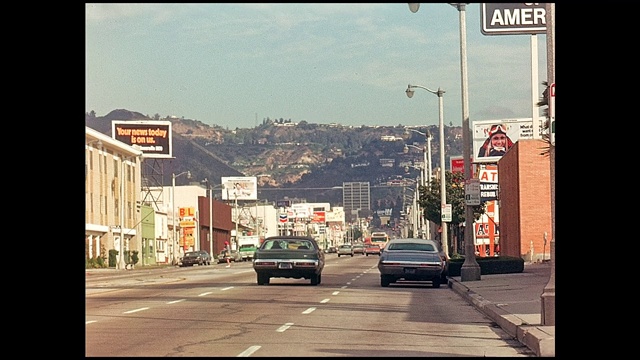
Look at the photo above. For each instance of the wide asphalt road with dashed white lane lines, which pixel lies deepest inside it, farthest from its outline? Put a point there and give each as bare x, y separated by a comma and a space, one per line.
218, 311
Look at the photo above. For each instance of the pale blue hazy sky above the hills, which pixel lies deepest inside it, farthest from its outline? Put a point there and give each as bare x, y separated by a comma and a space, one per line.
234, 65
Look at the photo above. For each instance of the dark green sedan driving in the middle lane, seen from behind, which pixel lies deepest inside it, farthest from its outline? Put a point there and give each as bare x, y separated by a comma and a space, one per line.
295, 257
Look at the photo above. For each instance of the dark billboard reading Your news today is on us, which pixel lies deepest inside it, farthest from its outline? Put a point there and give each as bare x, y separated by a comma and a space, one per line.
153, 137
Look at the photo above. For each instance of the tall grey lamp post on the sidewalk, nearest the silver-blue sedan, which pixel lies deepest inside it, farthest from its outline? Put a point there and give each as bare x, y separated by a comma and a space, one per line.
470, 270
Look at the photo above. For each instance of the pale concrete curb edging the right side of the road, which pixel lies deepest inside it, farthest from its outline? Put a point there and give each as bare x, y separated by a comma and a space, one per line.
534, 337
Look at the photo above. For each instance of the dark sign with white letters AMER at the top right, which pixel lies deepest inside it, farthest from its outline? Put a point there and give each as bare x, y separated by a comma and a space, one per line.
513, 18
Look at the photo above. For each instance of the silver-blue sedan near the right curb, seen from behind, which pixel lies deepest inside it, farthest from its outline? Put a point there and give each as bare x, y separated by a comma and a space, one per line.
412, 260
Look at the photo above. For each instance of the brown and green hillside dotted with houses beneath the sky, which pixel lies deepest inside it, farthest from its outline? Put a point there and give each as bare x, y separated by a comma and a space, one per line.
294, 160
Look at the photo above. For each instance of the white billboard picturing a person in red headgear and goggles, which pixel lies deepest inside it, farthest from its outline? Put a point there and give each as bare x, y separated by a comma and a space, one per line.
493, 138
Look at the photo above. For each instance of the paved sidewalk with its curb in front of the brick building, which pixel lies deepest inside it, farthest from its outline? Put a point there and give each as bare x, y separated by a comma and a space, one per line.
513, 302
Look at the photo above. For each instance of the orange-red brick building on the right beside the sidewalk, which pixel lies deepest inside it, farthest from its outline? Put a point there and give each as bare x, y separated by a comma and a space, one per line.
525, 200
